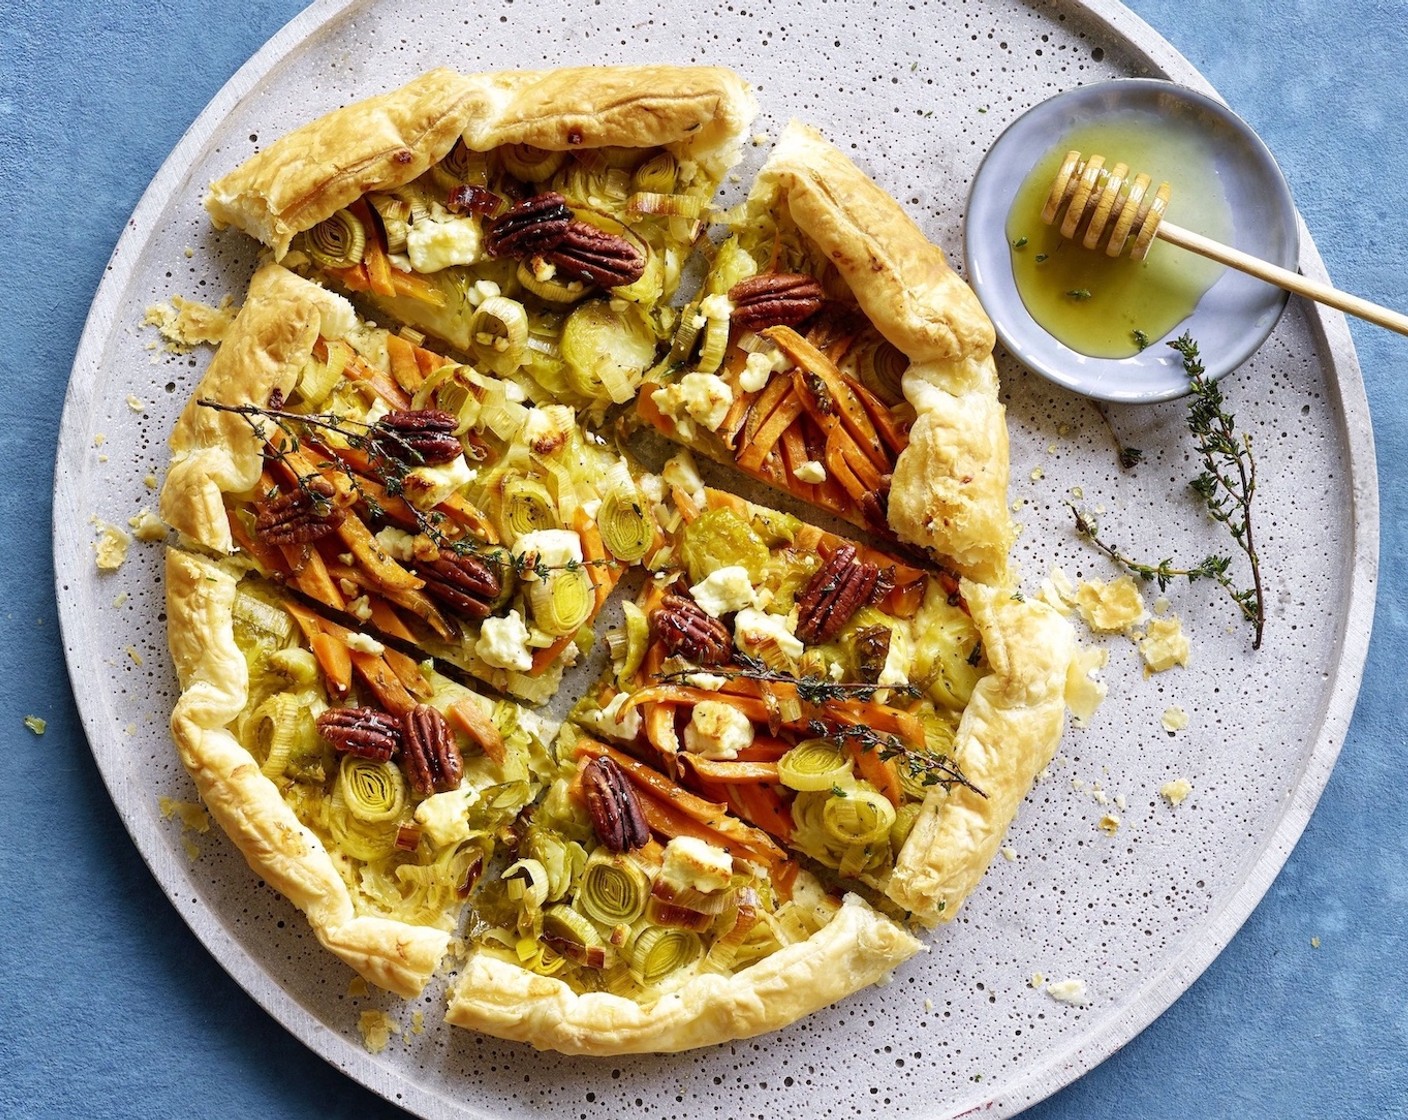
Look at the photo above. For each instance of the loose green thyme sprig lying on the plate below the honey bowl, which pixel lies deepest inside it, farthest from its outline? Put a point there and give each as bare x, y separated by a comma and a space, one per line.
1226, 485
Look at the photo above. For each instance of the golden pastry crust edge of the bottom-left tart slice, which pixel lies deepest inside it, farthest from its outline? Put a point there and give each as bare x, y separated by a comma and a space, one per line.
247, 805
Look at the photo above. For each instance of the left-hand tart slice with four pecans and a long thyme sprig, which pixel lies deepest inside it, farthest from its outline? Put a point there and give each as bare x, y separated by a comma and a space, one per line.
413, 494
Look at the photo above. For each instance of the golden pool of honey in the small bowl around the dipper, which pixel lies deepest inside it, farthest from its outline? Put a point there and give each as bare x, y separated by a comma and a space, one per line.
1113, 308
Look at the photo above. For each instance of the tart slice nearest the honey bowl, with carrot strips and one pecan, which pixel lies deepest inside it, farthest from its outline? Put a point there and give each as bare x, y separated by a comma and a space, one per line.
836, 356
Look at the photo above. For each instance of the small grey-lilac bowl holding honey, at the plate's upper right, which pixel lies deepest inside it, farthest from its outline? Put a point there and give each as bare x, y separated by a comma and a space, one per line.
1234, 316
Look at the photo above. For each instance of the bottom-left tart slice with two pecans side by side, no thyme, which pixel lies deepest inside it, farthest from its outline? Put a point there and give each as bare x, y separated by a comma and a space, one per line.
365, 788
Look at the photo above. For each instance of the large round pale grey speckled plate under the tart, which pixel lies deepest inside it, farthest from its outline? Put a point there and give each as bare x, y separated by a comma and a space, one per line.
917, 94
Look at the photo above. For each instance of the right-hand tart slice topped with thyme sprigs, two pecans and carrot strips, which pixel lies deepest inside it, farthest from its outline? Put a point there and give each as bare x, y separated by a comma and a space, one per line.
878, 721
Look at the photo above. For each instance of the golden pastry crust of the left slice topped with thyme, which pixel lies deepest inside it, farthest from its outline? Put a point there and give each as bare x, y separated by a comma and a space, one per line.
216, 453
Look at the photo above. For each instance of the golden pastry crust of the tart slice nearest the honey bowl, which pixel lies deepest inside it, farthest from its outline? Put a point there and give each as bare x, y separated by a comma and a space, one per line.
950, 487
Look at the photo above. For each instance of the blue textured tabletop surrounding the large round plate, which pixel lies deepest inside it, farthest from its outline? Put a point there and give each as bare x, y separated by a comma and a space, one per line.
109, 1007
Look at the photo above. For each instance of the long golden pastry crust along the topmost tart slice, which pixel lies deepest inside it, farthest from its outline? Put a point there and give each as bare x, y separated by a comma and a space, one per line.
382, 143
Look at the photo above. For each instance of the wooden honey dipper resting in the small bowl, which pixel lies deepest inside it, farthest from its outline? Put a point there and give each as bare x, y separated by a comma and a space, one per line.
1112, 201
